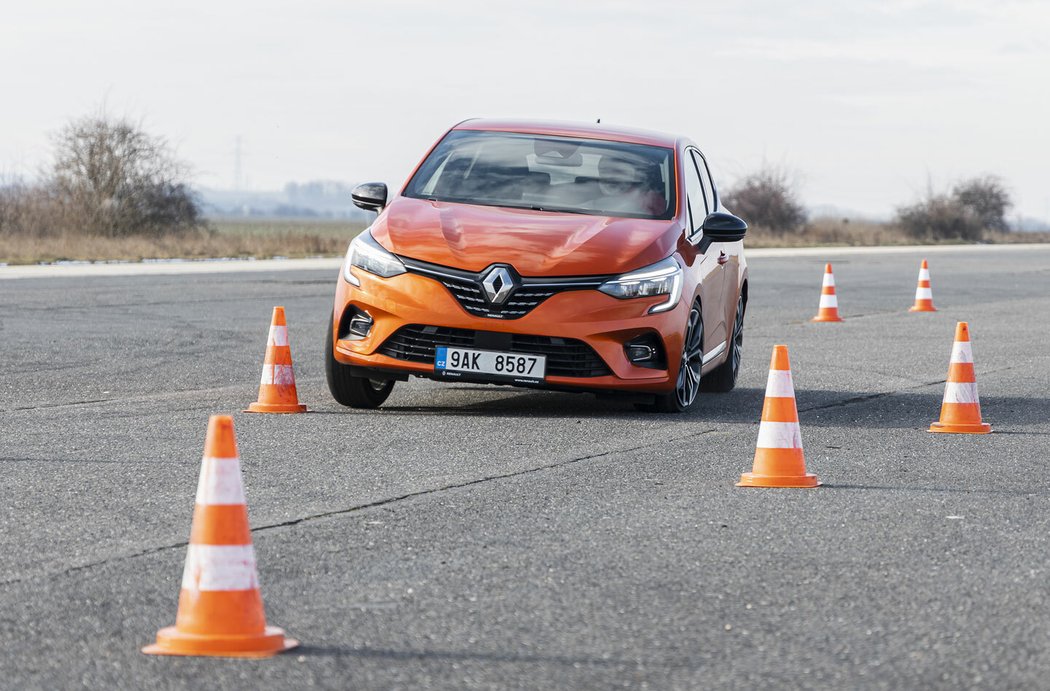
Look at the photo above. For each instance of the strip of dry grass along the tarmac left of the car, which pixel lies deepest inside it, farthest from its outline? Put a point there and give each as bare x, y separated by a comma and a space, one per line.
262, 239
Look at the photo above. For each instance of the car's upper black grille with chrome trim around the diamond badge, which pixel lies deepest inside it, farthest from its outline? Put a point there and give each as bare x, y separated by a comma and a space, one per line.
466, 287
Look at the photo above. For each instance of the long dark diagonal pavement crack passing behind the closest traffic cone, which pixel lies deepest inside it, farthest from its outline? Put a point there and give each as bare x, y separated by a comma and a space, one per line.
362, 508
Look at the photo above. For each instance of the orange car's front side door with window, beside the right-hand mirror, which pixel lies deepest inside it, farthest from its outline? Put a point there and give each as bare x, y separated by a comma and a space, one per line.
712, 275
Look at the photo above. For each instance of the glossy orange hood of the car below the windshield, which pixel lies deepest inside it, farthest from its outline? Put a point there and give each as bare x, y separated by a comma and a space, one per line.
535, 243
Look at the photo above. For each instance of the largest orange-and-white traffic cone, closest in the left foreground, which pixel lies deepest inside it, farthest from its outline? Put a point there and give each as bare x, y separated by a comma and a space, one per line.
220, 608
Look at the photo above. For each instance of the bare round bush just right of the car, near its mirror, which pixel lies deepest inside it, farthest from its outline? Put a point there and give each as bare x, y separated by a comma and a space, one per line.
768, 199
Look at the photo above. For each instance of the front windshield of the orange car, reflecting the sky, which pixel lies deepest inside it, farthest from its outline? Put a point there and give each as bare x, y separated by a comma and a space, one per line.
549, 174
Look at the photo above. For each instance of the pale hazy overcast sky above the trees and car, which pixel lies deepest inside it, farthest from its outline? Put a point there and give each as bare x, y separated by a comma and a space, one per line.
868, 101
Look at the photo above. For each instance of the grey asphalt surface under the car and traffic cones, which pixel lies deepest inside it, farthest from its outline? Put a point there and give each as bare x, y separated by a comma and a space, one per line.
473, 537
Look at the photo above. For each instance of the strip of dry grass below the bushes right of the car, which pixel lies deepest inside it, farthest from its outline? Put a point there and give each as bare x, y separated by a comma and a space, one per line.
835, 233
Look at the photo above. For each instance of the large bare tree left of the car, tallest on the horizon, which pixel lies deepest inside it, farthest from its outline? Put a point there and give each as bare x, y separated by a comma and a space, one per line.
118, 180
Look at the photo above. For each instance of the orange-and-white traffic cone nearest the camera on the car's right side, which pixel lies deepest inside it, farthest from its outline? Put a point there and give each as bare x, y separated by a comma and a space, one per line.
780, 462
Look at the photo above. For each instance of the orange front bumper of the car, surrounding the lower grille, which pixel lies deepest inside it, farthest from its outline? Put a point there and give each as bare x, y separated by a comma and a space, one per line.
600, 322
